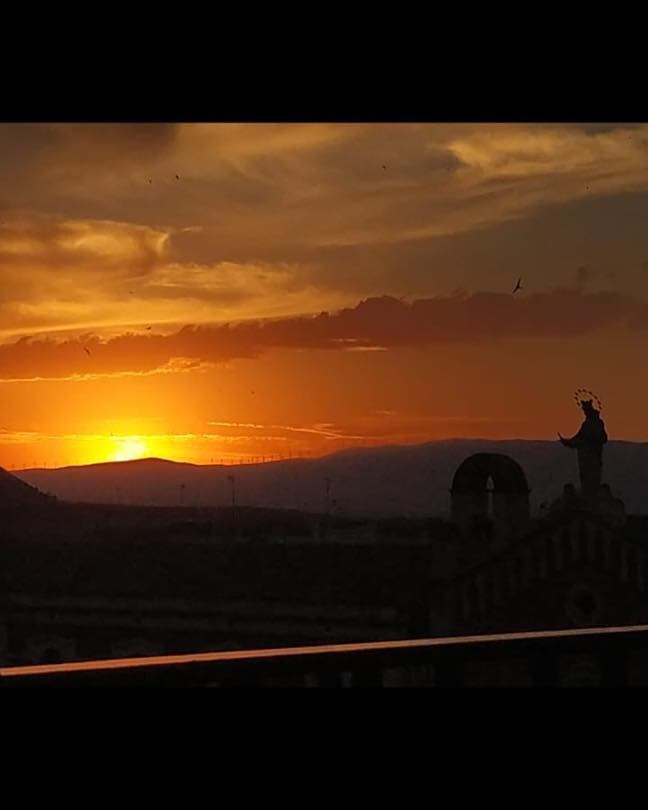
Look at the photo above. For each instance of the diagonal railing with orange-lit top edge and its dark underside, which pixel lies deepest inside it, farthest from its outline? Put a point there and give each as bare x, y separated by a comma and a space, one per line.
614, 656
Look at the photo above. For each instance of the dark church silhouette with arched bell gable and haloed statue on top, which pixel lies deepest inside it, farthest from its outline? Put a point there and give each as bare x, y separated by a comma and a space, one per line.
584, 563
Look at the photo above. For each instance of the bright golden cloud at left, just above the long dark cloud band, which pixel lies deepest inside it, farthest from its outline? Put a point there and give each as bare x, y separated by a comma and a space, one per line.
58, 273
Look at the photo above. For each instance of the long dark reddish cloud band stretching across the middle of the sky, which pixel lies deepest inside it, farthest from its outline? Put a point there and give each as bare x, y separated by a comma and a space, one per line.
384, 322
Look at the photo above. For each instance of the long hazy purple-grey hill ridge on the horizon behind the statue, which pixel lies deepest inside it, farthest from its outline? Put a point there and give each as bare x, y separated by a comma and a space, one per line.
370, 482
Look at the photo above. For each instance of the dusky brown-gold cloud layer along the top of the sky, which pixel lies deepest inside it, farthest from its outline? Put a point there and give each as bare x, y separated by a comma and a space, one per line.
323, 184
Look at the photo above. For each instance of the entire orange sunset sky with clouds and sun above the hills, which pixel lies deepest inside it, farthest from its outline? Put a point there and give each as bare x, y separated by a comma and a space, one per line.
230, 292
